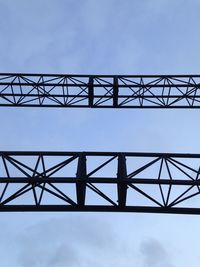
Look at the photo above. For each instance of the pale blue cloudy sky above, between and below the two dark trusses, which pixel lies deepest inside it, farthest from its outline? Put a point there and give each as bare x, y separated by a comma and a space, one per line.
99, 37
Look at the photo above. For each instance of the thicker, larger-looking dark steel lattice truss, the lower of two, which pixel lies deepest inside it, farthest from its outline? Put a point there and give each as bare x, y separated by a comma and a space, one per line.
100, 181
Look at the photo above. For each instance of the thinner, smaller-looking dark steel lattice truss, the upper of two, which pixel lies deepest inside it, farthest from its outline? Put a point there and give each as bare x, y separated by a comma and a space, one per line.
103, 91
